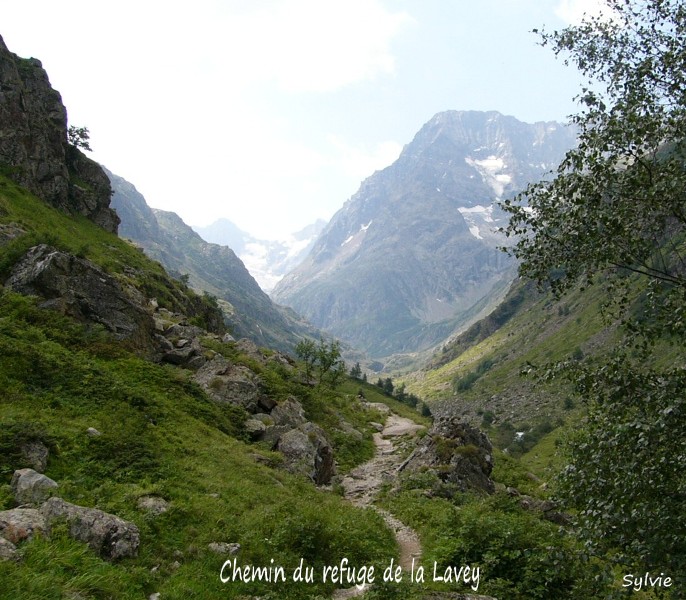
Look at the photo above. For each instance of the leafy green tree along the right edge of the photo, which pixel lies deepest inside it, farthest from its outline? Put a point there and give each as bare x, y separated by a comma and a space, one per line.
616, 206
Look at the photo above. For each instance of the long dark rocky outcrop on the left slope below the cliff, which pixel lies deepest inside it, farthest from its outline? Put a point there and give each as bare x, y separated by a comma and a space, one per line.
78, 288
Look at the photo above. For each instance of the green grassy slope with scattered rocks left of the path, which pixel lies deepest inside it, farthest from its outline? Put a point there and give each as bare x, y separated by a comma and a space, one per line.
160, 435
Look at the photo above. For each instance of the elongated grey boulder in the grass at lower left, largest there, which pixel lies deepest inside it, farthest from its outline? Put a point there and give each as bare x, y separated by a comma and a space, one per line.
108, 535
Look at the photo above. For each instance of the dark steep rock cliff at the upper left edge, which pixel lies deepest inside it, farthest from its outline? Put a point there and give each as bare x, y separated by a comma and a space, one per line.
34, 148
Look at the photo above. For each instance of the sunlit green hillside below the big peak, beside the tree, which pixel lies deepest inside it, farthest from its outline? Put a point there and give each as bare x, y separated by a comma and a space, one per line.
480, 374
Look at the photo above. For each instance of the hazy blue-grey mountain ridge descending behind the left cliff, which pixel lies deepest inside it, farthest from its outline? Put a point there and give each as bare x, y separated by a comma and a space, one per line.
210, 268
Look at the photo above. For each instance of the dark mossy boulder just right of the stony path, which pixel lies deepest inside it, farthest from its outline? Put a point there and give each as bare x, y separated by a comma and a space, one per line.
459, 453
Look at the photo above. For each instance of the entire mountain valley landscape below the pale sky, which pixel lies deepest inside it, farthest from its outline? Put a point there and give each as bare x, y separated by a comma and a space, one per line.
508, 423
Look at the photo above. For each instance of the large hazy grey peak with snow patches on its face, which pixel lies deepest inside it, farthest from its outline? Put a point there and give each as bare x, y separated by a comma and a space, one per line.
413, 254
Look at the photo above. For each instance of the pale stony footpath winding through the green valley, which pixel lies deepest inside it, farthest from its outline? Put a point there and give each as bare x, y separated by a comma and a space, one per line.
363, 483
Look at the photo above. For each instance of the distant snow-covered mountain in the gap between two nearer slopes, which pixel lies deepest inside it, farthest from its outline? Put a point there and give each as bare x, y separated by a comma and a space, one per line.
267, 260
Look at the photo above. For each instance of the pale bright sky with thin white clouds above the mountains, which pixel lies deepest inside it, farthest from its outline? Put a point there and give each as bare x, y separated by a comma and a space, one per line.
270, 113
